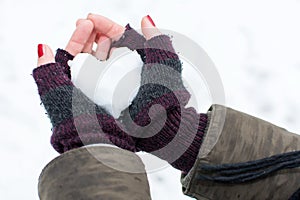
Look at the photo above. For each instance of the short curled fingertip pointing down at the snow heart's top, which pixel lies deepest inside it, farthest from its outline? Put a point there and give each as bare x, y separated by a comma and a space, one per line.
103, 46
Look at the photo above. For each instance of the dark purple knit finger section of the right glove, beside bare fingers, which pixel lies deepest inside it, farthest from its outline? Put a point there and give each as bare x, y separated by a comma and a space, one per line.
132, 40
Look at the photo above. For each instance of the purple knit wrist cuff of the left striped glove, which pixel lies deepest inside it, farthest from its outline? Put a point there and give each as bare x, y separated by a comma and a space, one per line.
85, 130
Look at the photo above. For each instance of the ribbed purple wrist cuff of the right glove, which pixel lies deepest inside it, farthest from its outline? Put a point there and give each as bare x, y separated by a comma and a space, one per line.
184, 130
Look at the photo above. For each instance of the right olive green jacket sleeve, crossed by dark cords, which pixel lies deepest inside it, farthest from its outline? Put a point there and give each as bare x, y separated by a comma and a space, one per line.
235, 137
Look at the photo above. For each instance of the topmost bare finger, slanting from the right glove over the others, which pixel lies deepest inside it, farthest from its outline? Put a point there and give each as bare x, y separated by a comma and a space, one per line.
106, 26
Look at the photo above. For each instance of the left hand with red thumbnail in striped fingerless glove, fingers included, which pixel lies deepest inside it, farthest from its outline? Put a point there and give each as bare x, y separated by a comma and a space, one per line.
93, 123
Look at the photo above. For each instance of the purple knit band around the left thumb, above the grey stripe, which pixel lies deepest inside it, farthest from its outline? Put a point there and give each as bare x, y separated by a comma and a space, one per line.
50, 76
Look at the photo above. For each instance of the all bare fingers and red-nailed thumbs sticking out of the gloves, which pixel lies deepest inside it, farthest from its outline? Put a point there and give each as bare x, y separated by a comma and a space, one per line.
95, 29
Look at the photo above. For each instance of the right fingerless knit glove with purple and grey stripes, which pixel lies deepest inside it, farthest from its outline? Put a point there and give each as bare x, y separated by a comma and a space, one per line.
178, 139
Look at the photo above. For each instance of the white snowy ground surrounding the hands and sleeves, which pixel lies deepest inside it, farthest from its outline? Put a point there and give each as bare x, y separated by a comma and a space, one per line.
255, 46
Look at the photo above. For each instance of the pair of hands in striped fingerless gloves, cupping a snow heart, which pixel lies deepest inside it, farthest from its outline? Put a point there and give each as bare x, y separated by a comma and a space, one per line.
184, 127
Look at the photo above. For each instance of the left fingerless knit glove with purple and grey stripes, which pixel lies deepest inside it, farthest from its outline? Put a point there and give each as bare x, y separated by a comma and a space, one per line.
76, 120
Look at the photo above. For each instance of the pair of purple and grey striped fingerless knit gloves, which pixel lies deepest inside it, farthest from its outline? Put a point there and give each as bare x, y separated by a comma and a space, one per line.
161, 83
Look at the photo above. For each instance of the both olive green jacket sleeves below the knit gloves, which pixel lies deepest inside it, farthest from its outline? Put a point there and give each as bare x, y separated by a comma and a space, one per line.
99, 172
